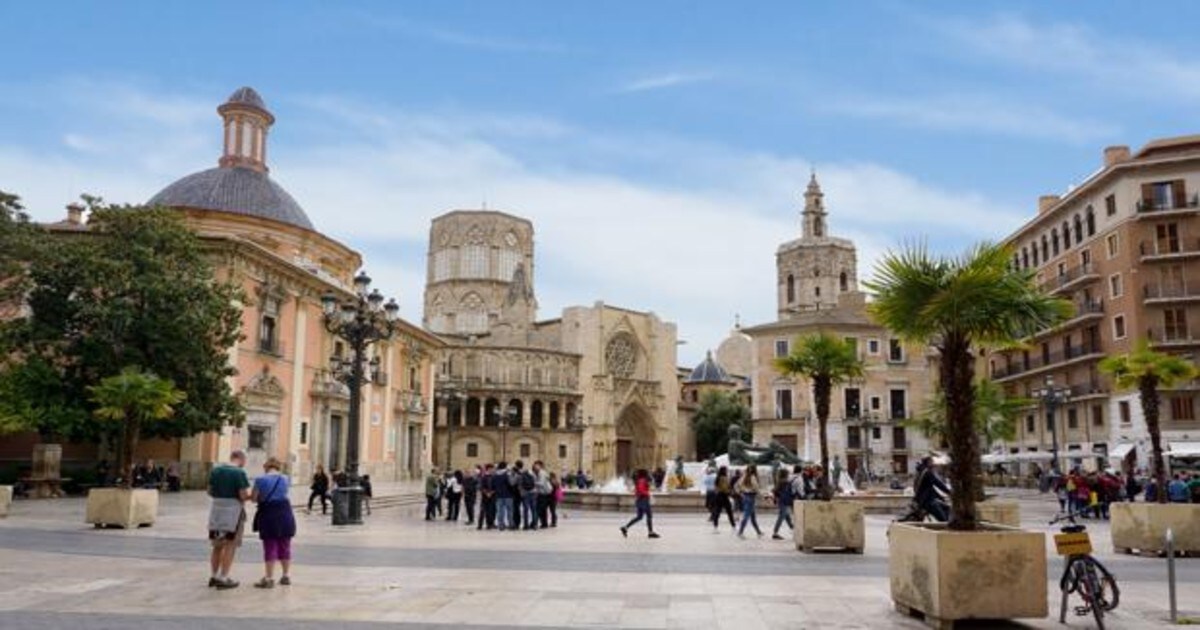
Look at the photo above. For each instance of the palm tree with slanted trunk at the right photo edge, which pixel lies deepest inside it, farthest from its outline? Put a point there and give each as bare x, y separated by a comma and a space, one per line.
1148, 371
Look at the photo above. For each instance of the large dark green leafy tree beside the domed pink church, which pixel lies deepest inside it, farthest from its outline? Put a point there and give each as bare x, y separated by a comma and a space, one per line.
135, 289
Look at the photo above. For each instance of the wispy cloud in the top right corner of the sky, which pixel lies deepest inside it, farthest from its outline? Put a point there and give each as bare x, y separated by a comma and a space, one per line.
1129, 67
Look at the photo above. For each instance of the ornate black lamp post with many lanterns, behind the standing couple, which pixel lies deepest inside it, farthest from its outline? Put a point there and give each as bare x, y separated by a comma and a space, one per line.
362, 320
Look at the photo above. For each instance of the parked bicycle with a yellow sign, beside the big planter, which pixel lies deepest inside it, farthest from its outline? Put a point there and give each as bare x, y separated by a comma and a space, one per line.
1084, 574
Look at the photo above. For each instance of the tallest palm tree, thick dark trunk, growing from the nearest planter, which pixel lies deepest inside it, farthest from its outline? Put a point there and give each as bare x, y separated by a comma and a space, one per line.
952, 304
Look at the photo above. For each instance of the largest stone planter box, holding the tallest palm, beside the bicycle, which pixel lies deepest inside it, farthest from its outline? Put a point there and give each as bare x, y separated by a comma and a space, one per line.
995, 573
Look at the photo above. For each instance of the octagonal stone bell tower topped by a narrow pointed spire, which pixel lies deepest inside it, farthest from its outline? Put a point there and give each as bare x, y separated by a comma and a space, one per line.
817, 269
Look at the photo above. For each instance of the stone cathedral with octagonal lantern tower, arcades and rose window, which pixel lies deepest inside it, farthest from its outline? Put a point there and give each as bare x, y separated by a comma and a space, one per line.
595, 389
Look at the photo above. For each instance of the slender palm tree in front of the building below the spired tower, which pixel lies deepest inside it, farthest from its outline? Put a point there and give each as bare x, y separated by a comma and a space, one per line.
827, 362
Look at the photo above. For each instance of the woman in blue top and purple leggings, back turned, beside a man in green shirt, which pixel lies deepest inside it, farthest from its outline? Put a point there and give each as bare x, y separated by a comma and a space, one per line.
274, 521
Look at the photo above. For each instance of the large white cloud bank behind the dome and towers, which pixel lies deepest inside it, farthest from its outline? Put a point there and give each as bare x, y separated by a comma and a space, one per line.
695, 254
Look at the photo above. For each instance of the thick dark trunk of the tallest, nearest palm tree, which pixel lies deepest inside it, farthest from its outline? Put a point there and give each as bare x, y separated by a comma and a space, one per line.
957, 376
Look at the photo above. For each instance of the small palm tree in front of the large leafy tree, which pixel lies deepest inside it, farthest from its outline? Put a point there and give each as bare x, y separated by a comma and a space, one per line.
134, 398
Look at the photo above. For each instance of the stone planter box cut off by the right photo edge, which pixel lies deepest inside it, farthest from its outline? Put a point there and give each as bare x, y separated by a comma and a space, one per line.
1143, 527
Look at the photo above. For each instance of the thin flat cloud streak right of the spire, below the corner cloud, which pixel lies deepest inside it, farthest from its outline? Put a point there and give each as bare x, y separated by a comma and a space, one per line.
976, 115
